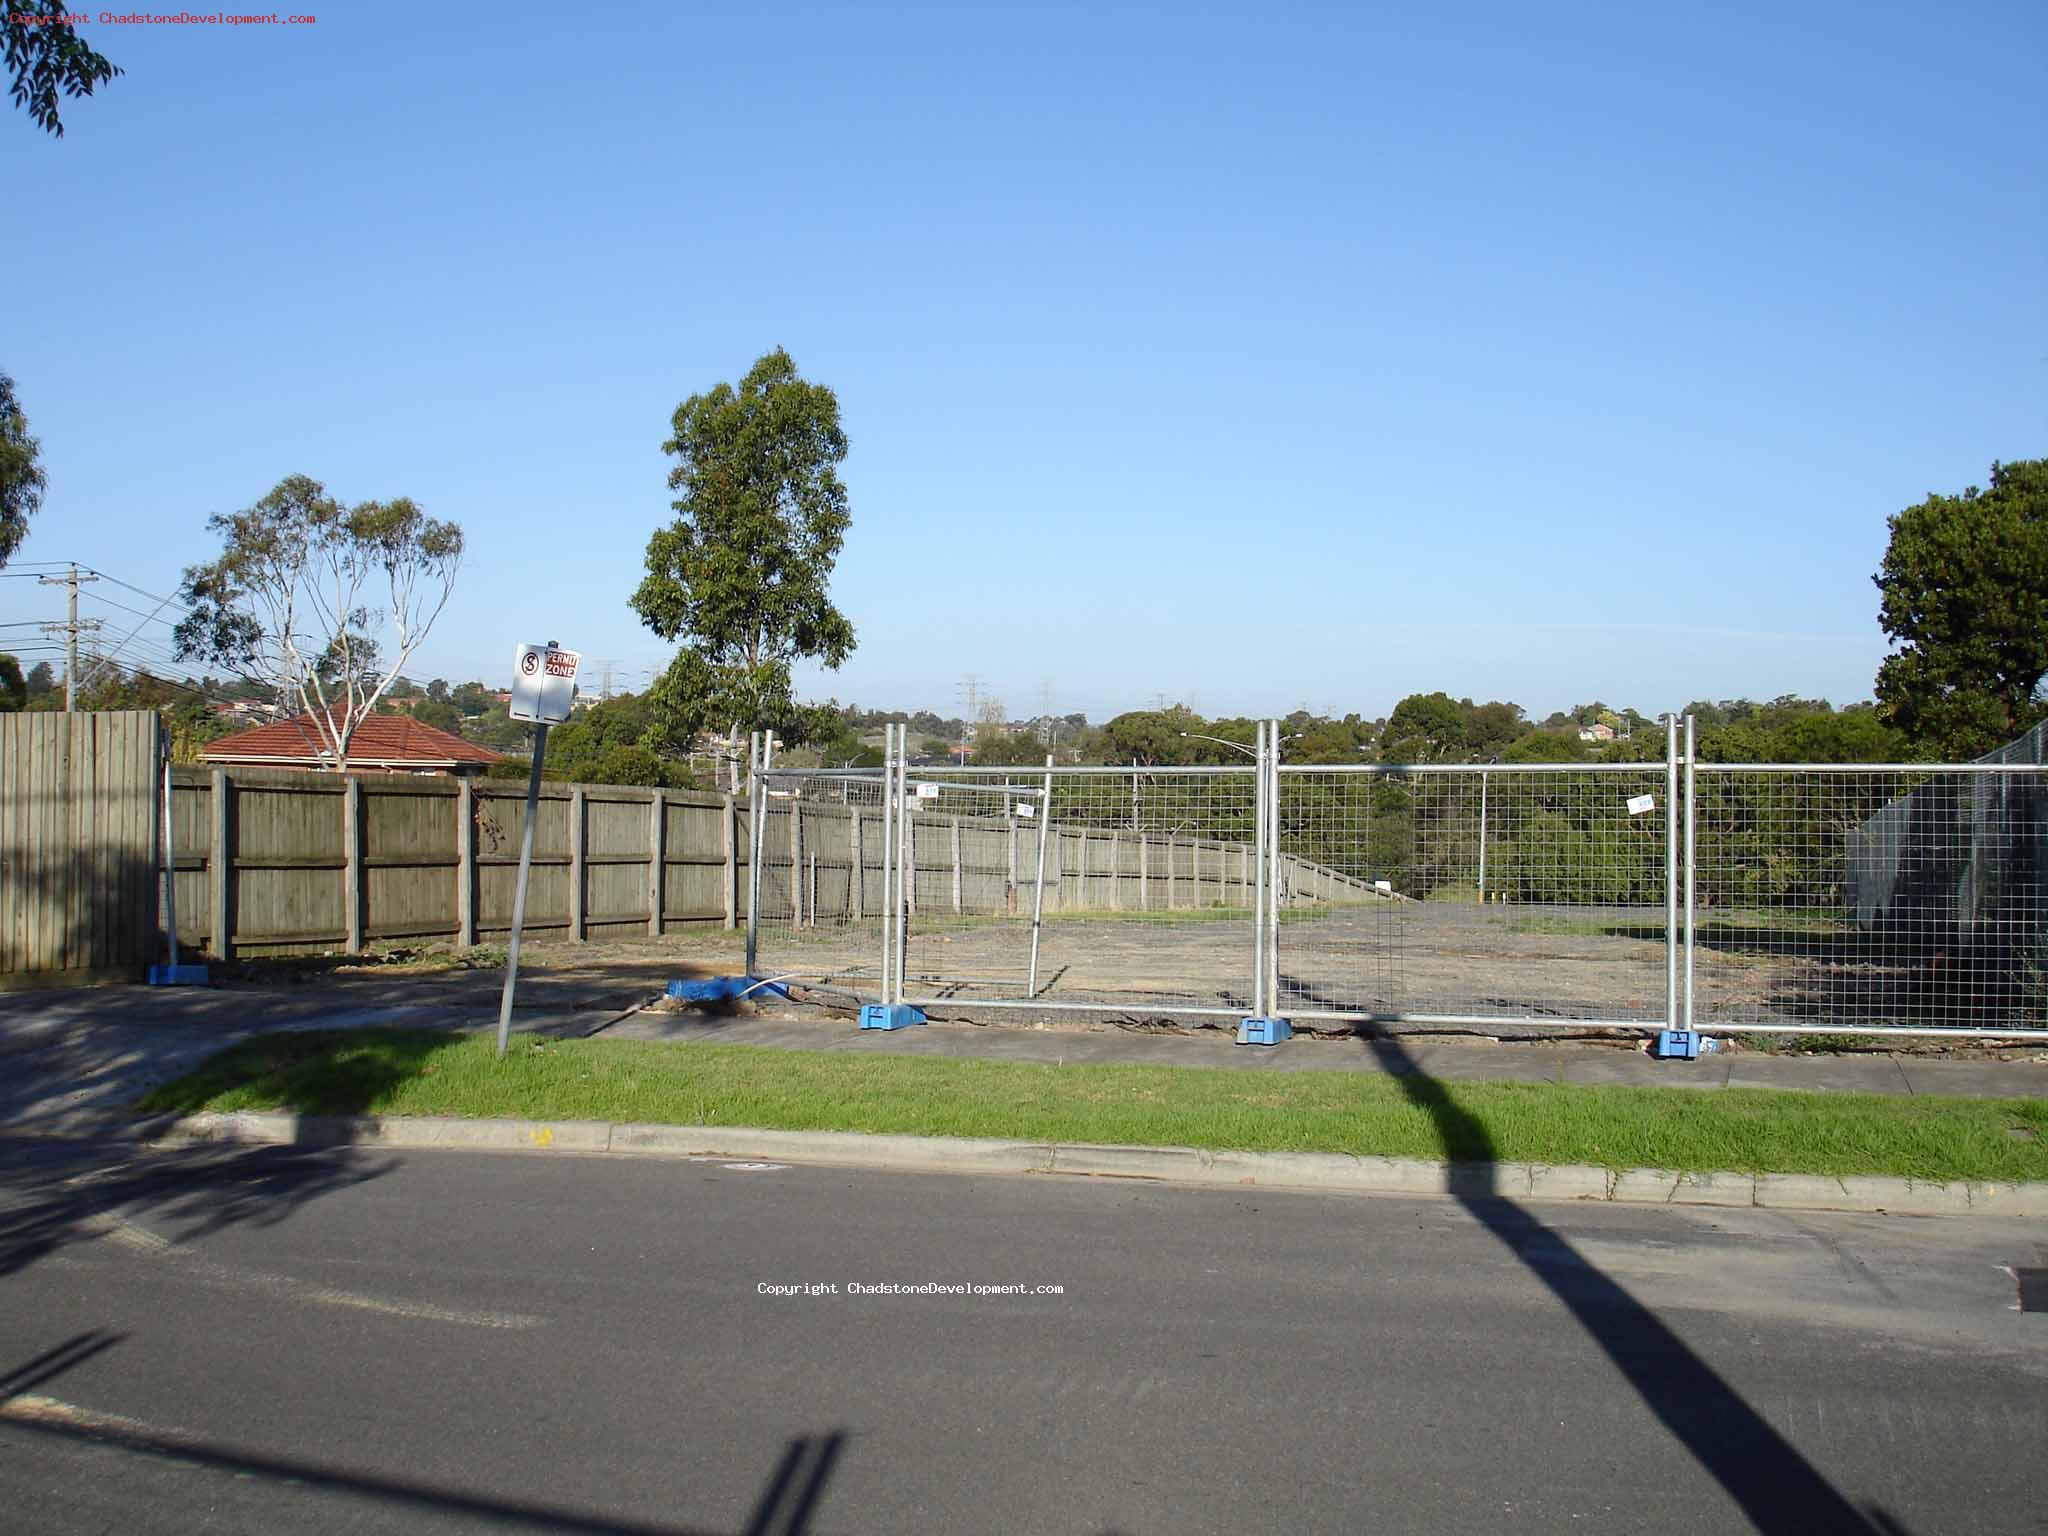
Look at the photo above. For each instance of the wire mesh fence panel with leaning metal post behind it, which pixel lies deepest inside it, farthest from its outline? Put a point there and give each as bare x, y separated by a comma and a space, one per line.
1142, 884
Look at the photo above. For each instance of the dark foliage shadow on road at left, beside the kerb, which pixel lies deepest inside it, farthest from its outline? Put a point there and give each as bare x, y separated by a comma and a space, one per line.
56, 1195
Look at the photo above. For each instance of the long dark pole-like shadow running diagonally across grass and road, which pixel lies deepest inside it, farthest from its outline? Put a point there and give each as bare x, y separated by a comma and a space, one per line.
1777, 1488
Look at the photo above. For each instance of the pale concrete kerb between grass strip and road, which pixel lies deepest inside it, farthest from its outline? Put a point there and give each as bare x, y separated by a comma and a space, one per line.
1330, 1172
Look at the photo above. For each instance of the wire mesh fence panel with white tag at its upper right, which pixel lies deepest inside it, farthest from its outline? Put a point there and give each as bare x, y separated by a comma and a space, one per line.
1490, 896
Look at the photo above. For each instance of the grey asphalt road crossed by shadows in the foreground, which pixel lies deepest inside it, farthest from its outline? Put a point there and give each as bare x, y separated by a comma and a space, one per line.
366, 1342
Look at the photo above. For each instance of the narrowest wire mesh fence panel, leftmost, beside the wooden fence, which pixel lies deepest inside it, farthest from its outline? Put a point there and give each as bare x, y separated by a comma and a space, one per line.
818, 904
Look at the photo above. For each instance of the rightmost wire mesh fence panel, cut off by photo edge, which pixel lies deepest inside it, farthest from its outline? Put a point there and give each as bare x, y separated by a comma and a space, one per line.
1842, 898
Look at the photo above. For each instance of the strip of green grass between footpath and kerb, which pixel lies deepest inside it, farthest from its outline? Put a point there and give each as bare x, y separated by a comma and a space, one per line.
423, 1072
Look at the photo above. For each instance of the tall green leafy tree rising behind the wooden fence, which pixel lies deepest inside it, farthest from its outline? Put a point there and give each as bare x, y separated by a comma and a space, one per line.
740, 579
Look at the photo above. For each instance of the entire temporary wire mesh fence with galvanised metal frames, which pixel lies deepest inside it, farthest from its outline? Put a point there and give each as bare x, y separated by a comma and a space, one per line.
1727, 896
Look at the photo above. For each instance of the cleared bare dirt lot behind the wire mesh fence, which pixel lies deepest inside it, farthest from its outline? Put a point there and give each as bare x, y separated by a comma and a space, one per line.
1431, 959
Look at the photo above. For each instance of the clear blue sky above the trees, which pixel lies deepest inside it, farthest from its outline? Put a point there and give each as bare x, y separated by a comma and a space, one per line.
1250, 357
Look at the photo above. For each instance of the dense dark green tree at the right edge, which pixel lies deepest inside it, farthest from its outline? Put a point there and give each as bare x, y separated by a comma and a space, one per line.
1965, 605
